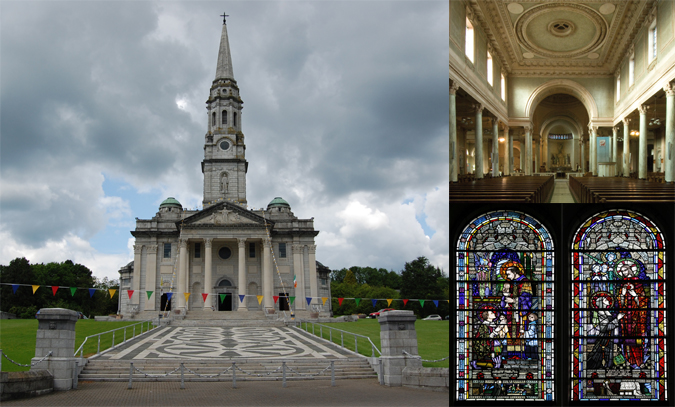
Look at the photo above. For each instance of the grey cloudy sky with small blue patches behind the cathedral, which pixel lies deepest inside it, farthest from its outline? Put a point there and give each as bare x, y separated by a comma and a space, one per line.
102, 109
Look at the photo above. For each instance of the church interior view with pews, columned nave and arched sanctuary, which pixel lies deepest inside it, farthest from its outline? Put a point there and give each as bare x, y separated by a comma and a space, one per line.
562, 102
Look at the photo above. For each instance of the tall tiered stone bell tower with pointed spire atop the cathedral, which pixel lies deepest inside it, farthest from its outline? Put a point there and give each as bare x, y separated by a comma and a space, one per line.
224, 166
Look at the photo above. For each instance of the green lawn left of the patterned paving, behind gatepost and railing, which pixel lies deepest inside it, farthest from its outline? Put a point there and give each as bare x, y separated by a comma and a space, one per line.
17, 338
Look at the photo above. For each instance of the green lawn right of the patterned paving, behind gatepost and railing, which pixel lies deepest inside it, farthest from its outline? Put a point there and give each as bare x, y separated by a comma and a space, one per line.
433, 338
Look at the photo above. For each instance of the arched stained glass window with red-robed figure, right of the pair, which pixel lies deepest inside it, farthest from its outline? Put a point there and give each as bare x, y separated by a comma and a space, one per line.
618, 339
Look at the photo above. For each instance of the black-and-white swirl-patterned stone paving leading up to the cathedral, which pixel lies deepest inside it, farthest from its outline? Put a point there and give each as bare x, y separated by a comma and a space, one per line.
229, 342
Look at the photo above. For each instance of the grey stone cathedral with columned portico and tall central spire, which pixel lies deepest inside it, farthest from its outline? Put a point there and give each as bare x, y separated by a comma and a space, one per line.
224, 257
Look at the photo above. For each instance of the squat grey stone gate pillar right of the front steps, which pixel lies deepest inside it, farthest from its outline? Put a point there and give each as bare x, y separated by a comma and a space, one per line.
397, 334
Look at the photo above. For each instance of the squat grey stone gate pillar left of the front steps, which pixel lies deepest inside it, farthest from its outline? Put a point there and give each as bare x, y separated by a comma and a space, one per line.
56, 333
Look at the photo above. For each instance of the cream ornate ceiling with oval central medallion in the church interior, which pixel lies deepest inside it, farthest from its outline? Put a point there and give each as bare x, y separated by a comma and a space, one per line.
561, 38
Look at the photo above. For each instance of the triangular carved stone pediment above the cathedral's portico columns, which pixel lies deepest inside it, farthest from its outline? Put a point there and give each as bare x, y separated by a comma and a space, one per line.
224, 214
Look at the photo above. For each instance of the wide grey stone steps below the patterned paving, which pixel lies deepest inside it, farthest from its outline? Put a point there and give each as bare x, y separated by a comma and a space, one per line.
118, 370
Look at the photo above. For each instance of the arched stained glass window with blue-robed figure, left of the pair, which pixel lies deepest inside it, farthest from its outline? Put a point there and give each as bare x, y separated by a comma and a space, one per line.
505, 309
